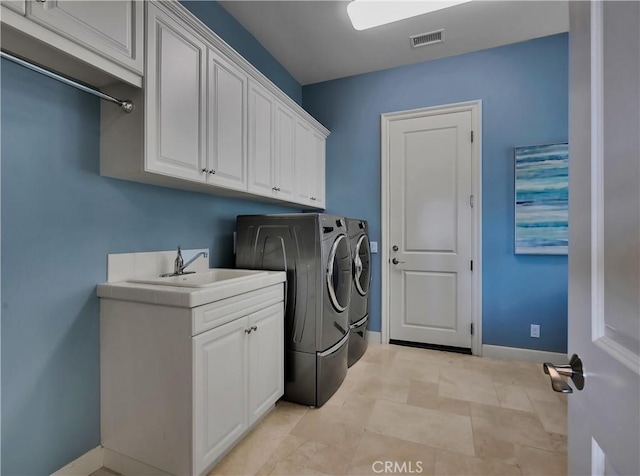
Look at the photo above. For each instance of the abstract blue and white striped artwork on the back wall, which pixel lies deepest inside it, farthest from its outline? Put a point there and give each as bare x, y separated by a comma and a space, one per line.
542, 199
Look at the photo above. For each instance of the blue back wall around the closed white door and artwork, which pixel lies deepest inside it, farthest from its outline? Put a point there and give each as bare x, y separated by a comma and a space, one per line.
524, 92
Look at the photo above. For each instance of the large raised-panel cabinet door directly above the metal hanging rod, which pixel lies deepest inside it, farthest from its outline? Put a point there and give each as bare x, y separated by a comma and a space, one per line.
113, 29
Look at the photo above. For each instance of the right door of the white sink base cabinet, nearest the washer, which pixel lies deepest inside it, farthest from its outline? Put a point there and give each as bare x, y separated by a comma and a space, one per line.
266, 359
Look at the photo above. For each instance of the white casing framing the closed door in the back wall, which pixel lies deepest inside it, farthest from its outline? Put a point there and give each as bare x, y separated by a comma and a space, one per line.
475, 107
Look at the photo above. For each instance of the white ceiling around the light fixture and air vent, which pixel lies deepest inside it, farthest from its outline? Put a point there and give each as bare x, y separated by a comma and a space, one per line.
314, 40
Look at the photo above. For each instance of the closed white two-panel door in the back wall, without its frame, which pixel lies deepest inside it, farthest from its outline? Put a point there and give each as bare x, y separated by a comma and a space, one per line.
430, 228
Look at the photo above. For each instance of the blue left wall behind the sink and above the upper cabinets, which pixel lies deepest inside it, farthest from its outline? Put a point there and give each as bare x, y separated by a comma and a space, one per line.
60, 219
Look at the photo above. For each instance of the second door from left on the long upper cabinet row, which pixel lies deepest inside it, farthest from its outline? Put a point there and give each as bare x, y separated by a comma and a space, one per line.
226, 123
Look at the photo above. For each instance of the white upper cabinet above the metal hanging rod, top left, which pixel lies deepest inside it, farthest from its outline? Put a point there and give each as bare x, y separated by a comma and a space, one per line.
95, 41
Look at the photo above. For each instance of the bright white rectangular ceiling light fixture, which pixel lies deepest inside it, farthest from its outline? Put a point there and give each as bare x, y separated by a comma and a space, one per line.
366, 14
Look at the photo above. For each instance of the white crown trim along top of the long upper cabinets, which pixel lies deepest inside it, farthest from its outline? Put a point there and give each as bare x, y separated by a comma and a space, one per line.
211, 37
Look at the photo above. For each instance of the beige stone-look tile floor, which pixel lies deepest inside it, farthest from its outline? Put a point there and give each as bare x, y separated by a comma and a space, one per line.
438, 412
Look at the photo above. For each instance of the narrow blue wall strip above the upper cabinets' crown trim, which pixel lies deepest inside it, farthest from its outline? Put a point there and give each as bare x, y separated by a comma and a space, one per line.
228, 28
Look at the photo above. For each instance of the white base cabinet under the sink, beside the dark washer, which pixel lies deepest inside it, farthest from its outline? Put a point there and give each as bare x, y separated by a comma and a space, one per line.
180, 386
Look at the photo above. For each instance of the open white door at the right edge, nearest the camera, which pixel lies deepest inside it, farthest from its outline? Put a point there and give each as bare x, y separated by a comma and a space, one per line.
604, 240
